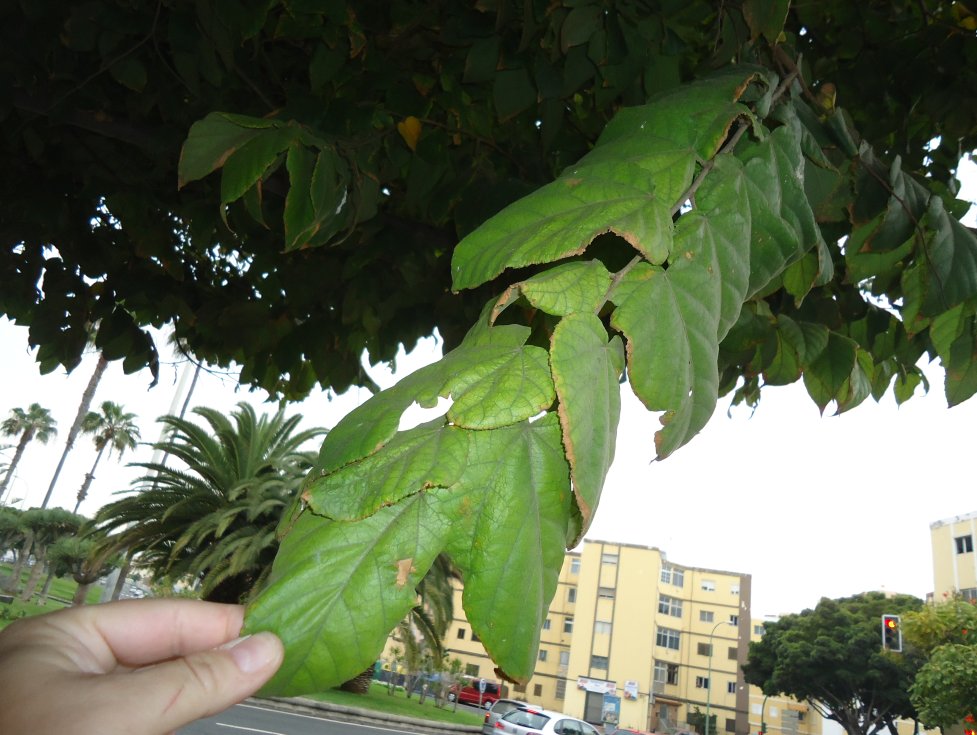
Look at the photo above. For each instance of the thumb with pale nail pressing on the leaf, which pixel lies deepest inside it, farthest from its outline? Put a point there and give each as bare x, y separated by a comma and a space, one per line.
201, 684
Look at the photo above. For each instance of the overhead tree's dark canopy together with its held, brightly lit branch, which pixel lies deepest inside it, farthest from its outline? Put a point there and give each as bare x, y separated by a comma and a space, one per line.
699, 199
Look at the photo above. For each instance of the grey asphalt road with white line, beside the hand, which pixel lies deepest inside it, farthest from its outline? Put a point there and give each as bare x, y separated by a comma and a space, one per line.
245, 719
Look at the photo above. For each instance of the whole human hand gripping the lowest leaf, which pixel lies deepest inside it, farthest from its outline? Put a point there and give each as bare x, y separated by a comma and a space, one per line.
141, 667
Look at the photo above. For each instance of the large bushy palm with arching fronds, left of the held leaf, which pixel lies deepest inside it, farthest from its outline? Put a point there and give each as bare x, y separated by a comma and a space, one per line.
213, 518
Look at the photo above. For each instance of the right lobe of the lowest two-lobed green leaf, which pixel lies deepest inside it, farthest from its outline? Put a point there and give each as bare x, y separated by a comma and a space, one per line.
510, 534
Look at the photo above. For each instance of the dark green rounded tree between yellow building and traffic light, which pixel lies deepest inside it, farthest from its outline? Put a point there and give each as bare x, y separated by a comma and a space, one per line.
832, 658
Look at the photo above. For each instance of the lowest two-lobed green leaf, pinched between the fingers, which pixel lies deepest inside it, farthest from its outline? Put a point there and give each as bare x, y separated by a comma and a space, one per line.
513, 494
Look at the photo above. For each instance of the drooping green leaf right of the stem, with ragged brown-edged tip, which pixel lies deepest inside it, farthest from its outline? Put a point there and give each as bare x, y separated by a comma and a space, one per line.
674, 318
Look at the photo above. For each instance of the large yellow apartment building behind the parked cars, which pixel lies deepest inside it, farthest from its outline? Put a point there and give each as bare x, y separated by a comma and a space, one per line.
668, 640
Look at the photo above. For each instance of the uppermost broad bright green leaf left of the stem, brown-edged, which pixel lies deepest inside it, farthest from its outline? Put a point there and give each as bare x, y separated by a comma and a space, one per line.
627, 185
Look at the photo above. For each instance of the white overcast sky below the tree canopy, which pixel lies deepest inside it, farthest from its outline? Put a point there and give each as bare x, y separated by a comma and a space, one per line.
810, 506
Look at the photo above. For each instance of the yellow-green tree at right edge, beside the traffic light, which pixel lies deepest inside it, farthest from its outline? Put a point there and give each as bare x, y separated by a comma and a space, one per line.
944, 691
